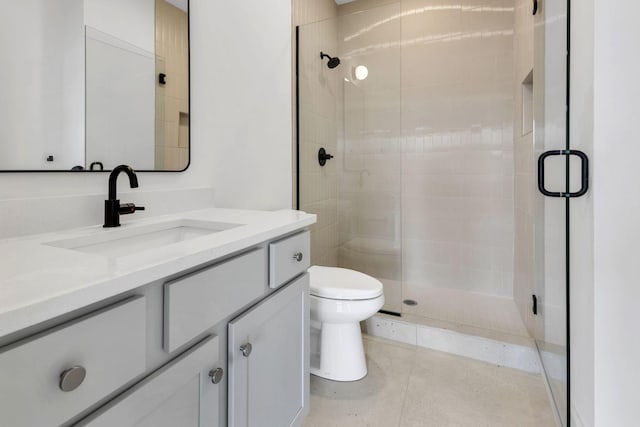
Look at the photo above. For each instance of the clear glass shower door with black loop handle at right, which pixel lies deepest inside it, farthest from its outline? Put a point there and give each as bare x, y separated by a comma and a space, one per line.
562, 175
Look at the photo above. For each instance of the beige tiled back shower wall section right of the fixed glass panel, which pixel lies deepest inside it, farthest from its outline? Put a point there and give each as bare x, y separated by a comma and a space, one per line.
457, 110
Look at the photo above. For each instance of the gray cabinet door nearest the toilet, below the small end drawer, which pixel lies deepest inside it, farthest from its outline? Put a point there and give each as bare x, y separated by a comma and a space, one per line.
269, 384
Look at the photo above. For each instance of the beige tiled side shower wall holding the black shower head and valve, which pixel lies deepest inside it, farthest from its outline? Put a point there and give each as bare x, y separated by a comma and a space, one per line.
318, 123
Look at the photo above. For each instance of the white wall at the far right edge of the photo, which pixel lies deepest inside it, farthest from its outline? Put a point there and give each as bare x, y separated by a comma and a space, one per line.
616, 203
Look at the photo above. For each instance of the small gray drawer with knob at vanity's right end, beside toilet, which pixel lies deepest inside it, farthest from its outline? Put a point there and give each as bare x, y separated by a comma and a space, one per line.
288, 258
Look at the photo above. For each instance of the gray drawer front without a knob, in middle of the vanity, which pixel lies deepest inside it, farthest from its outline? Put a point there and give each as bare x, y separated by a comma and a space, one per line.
196, 302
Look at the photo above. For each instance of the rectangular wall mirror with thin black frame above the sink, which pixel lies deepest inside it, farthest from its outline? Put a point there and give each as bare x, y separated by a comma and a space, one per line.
91, 84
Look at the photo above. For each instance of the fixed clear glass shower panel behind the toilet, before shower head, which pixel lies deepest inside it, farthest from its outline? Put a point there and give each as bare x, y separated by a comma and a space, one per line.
352, 110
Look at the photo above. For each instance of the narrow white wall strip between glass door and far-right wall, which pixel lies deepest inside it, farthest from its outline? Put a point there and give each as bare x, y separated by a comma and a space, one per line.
582, 285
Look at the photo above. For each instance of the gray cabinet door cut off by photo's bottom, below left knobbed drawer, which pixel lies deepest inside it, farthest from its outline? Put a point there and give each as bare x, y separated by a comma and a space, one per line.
179, 394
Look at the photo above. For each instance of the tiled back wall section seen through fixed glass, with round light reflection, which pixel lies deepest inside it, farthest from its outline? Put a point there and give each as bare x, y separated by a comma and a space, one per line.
369, 148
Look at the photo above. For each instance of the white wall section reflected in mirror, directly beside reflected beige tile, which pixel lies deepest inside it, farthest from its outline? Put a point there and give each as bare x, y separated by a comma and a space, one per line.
120, 82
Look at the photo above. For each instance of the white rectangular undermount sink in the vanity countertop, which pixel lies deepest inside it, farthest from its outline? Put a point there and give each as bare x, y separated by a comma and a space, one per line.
130, 240
